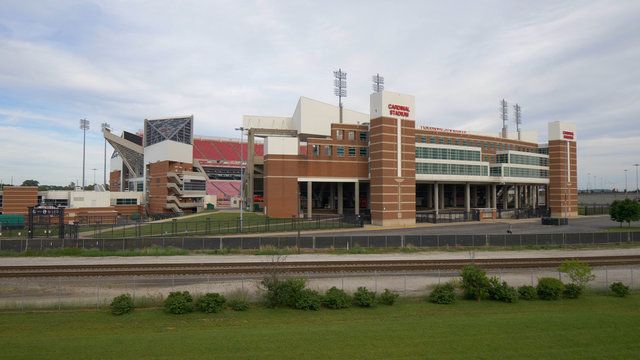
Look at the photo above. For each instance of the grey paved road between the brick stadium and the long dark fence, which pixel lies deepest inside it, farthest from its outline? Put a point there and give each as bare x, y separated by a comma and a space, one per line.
527, 226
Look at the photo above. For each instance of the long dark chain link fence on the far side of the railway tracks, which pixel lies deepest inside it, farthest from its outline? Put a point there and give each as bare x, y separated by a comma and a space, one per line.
323, 241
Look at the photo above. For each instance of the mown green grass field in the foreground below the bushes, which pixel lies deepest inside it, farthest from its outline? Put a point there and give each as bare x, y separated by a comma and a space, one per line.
592, 327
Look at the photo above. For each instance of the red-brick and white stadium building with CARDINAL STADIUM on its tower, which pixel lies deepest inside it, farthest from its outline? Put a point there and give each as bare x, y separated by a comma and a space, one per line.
325, 160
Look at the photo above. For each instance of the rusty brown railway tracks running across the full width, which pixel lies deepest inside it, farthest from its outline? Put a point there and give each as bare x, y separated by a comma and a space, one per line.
299, 267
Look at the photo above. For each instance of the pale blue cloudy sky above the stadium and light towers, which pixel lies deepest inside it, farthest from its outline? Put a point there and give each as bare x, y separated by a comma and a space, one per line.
123, 61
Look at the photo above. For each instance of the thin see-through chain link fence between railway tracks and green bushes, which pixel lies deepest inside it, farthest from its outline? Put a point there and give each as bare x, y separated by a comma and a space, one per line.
26, 294
